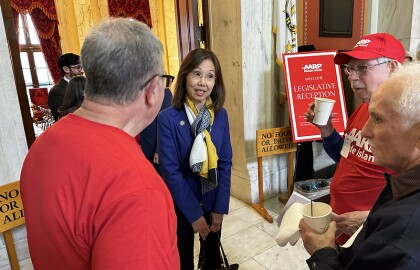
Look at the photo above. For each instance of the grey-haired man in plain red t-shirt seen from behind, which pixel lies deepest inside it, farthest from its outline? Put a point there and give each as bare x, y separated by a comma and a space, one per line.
91, 198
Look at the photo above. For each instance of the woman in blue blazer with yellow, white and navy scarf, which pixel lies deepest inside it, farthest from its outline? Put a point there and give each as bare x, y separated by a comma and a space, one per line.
195, 155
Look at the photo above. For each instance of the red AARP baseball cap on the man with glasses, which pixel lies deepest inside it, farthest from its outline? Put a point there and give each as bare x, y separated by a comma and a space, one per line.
374, 46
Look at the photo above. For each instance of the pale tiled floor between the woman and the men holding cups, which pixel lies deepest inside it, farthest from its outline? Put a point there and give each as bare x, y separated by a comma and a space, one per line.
248, 239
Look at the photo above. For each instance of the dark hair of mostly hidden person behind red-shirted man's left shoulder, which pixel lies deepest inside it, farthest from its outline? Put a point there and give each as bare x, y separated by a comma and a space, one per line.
75, 94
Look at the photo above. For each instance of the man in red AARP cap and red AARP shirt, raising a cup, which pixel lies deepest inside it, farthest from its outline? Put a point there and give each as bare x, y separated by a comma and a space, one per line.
357, 181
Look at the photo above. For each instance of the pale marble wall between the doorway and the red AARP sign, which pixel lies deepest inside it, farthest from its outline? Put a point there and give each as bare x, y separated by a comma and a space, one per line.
261, 100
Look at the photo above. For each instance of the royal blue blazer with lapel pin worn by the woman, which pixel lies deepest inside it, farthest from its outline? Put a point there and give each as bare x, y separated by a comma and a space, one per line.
175, 141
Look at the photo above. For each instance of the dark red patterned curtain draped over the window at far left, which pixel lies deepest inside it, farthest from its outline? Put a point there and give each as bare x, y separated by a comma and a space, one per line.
45, 20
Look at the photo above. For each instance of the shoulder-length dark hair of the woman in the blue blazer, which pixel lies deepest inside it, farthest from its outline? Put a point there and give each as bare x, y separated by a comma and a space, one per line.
191, 61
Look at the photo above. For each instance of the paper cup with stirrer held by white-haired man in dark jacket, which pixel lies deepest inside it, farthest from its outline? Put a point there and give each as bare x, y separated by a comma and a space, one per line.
321, 216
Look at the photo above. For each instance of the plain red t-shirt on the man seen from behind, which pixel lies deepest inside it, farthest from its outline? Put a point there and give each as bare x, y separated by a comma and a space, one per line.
93, 201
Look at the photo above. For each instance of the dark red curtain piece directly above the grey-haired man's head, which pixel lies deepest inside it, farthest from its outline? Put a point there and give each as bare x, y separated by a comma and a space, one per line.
136, 9
